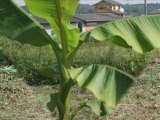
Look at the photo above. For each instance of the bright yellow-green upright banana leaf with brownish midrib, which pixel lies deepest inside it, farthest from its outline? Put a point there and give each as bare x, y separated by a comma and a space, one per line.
58, 13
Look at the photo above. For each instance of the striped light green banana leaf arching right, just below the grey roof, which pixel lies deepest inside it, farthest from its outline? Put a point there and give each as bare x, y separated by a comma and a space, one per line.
142, 34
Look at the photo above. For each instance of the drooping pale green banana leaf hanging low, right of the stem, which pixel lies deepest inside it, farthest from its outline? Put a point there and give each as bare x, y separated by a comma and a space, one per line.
106, 83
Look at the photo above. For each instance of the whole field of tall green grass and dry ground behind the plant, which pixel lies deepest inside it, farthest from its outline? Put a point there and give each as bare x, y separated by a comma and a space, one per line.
22, 80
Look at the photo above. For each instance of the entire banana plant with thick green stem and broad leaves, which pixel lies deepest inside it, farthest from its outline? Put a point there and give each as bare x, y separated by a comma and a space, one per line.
108, 84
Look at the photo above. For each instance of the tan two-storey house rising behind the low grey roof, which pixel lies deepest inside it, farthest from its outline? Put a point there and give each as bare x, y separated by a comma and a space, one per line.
109, 6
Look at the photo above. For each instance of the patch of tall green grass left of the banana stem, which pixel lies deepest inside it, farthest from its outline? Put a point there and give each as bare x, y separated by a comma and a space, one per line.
28, 60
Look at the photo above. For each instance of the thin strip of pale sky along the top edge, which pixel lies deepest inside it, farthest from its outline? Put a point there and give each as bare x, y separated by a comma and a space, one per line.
20, 2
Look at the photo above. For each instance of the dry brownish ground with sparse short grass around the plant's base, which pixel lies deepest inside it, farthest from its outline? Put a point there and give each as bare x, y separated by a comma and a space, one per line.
19, 101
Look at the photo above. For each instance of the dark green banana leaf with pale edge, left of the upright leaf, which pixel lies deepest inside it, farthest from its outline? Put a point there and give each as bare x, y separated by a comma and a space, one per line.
17, 25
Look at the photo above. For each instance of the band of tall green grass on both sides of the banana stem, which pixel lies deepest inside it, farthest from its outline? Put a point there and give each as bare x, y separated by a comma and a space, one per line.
31, 65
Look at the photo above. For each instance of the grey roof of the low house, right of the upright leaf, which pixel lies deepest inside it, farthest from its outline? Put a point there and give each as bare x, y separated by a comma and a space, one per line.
96, 17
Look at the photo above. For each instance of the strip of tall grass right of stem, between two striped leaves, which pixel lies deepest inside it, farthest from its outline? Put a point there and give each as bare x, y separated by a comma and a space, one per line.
107, 53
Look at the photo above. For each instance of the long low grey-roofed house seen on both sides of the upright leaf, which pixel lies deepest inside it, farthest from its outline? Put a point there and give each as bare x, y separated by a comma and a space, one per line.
85, 22
